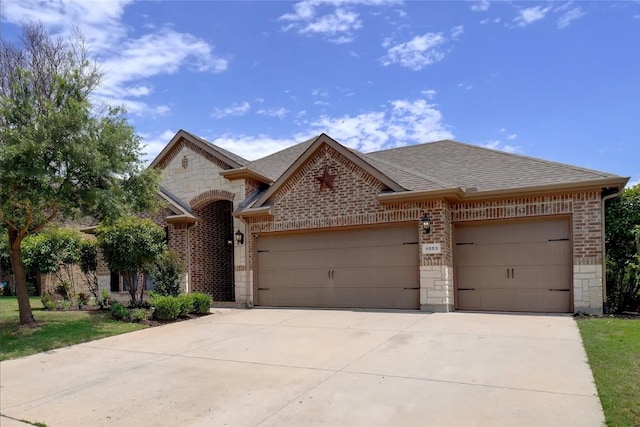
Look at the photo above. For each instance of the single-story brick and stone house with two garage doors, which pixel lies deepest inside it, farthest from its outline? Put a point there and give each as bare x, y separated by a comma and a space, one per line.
440, 226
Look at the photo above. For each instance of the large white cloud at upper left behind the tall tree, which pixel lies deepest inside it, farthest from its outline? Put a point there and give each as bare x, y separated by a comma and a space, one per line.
127, 62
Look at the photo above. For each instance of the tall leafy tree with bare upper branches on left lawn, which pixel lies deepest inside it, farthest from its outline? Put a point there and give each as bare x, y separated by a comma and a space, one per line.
59, 156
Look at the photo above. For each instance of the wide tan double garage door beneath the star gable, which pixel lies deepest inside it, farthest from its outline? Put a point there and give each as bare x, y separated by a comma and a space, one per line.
365, 268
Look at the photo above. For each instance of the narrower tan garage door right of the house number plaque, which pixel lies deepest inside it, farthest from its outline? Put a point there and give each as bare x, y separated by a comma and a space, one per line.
520, 266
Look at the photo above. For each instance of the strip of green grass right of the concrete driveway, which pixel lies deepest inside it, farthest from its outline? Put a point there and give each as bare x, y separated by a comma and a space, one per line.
613, 349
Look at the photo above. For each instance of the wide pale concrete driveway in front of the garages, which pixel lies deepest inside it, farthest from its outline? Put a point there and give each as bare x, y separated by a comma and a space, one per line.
272, 367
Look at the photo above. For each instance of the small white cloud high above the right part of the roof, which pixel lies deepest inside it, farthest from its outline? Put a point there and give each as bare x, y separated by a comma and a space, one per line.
418, 52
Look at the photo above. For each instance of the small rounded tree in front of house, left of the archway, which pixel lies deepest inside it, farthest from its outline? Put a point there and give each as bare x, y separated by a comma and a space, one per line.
130, 246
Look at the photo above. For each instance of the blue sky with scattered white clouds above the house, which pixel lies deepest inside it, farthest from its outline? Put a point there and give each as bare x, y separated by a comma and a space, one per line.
556, 80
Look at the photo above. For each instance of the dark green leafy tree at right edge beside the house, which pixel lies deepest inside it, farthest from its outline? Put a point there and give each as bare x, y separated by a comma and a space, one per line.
623, 250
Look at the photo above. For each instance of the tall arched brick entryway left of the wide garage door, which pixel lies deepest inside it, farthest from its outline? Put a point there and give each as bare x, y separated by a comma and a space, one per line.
211, 255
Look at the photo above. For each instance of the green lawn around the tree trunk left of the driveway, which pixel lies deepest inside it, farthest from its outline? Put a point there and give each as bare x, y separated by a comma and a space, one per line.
55, 329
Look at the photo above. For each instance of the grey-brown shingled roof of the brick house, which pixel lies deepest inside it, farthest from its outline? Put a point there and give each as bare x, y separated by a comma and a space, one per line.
437, 166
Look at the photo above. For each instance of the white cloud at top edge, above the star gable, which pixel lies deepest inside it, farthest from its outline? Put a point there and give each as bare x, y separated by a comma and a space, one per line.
333, 19
